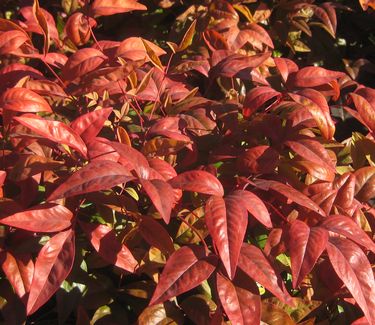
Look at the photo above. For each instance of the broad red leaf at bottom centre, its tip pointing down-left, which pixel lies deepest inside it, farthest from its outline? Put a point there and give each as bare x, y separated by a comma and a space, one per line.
185, 269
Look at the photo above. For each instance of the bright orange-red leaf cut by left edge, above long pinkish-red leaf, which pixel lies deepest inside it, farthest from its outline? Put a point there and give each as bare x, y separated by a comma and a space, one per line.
23, 100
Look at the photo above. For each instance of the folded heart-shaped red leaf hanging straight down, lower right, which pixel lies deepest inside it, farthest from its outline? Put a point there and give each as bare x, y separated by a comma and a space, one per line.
305, 245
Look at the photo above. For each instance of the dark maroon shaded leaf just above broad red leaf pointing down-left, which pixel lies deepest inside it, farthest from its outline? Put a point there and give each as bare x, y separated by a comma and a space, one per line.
156, 235
